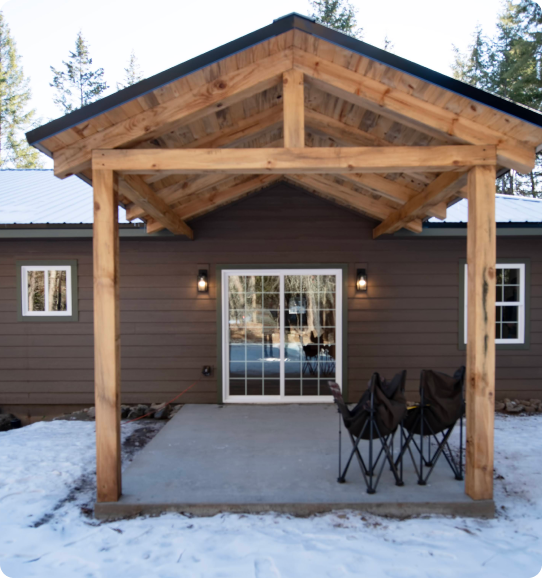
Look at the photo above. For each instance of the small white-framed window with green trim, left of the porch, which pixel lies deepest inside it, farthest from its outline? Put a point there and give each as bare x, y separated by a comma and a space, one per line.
47, 291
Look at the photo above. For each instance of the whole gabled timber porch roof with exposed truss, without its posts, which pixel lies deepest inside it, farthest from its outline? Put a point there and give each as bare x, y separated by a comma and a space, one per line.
380, 135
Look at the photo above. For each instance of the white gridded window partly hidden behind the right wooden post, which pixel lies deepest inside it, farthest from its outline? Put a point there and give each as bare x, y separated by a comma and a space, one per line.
510, 304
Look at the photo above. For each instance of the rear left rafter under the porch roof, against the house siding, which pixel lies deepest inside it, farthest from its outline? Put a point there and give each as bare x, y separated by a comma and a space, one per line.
229, 191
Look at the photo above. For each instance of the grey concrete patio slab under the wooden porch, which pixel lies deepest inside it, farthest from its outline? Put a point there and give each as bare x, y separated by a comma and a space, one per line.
280, 458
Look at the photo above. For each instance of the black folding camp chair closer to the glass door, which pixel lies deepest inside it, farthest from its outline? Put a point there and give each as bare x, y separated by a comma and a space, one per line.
377, 416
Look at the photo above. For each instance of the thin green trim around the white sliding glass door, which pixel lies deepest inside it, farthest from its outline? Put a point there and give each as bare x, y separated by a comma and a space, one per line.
218, 280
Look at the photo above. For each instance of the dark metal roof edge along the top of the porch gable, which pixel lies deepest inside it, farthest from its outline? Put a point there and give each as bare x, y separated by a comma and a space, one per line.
279, 26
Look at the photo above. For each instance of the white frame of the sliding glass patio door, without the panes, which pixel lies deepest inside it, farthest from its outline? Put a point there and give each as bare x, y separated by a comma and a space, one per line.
282, 398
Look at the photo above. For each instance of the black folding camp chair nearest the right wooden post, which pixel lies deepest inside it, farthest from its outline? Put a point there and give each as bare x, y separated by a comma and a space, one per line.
441, 406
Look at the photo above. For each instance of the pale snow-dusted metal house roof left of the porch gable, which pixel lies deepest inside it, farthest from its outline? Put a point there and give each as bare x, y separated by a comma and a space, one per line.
38, 197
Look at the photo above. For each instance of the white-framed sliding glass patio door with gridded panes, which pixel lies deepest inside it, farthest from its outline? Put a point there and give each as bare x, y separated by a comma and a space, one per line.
282, 334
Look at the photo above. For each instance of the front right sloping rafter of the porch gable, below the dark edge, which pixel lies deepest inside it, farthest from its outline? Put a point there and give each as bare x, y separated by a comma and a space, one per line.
410, 110
